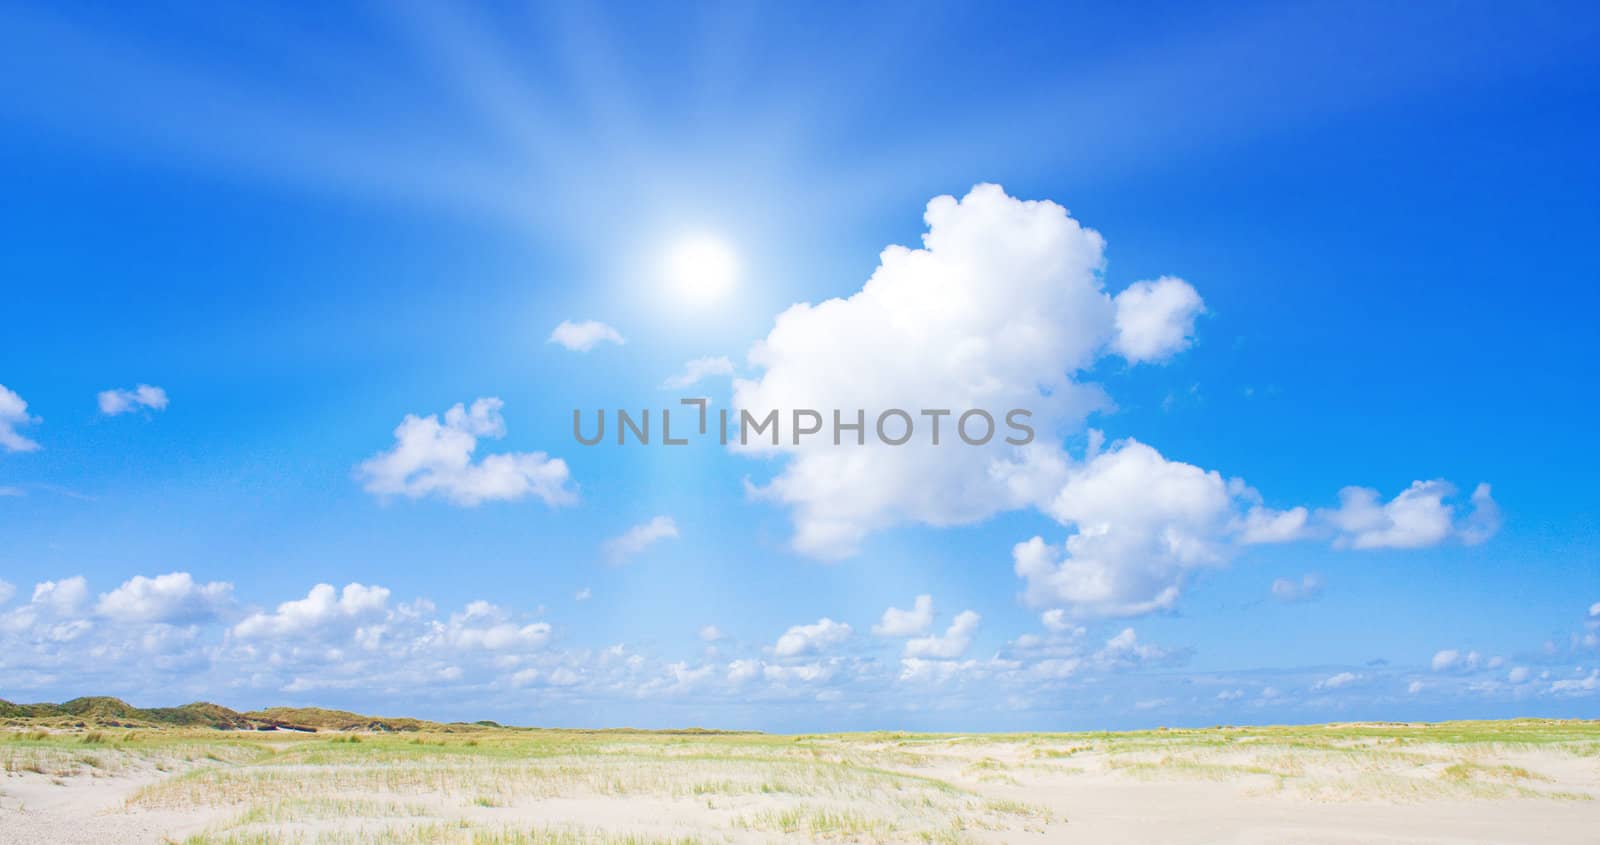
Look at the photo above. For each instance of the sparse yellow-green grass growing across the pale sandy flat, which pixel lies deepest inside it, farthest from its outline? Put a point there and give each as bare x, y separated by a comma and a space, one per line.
535, 787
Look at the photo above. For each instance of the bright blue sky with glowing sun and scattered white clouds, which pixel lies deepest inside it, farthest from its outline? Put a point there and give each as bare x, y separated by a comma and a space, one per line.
305, 226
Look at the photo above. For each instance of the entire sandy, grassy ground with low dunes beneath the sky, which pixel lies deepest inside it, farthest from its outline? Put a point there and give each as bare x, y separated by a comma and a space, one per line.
79, 772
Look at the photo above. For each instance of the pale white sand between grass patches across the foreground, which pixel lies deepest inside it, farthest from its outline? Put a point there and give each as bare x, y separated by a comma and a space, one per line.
1167, 795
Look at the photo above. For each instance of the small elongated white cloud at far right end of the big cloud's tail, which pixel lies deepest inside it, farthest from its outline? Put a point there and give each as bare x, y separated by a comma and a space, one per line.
1415, 519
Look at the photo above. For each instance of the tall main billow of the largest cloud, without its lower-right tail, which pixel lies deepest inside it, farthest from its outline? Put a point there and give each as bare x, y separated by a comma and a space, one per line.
998, 311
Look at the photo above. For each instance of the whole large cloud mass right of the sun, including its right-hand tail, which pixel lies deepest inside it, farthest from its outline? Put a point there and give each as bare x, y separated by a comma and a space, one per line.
1004, 308
